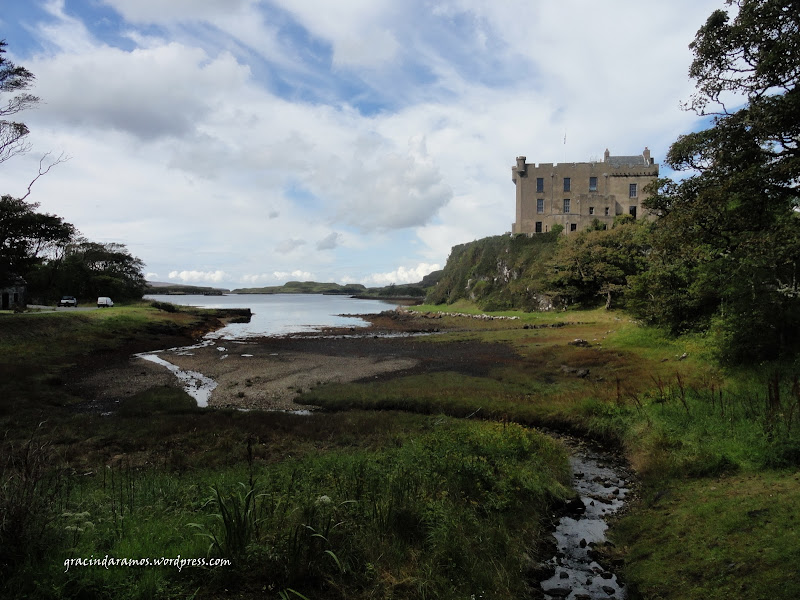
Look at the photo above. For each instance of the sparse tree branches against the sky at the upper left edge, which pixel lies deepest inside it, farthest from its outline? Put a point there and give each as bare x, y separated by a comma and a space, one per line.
14, 79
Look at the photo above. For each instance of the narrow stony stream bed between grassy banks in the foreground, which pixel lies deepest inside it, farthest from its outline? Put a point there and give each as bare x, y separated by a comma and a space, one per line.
603, 483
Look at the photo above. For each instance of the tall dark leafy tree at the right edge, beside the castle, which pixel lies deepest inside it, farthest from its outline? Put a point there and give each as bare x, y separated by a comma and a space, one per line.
727, 246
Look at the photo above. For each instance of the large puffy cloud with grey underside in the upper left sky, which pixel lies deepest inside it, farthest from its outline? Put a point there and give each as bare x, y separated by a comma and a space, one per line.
149, 93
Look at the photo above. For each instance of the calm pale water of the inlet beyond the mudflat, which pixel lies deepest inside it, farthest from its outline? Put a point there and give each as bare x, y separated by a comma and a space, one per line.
281, 314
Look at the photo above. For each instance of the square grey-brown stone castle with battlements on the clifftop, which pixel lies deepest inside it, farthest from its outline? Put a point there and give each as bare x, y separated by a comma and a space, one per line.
575, 194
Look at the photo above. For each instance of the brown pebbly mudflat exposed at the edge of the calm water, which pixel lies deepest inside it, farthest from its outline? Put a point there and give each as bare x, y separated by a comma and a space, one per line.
269, 373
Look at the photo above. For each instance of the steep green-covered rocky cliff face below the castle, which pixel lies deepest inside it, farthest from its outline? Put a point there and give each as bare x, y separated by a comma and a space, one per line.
498, 273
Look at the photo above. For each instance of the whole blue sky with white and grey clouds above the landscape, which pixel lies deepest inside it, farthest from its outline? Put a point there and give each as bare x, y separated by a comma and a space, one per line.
251, 142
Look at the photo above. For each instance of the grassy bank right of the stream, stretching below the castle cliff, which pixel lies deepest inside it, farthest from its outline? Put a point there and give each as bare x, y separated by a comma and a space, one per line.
717, 452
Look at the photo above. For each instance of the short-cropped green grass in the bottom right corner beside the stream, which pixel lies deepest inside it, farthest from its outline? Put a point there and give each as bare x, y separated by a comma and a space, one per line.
722, 538
